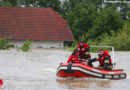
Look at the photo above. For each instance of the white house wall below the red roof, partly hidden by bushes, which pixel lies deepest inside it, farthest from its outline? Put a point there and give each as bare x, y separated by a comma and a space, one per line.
39, 44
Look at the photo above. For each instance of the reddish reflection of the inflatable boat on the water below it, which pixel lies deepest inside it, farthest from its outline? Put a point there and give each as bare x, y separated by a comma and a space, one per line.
83, 83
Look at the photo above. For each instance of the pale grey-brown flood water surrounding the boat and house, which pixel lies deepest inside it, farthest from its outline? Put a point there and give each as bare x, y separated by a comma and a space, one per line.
36, 70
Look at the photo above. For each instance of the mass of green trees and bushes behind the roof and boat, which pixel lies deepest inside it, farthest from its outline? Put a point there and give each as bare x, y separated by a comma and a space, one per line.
89, 20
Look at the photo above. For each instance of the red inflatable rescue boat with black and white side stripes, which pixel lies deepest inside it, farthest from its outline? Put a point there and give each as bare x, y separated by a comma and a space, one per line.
81, 70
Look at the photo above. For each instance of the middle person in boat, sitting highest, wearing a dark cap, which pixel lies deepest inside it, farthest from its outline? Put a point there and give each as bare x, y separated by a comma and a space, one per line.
83, 49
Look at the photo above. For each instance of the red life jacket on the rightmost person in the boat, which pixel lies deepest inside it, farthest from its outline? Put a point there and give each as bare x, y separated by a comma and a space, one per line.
102, 59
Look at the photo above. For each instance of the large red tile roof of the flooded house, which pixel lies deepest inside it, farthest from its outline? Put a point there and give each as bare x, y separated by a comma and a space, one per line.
34, 24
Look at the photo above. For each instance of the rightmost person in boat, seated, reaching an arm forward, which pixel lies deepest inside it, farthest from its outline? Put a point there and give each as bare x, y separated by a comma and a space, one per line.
104, 60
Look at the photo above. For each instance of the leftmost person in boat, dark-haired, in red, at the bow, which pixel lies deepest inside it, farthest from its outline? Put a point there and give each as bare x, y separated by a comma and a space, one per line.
74, 57
